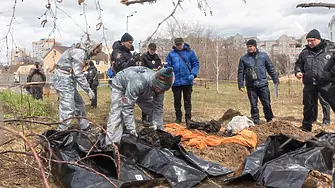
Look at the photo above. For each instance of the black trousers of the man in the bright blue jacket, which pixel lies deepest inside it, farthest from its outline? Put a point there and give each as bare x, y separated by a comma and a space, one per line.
186, 91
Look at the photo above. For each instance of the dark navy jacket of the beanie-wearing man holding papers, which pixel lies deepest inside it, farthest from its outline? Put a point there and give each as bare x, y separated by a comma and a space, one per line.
264, 65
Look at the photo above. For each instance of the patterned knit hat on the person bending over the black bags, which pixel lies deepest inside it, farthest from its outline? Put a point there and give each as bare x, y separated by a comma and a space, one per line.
163, 79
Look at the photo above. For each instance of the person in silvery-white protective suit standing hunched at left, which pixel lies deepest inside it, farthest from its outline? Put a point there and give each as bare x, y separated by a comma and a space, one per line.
69, 73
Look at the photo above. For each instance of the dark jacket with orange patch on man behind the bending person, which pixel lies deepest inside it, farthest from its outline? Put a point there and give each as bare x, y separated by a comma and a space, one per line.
122, 57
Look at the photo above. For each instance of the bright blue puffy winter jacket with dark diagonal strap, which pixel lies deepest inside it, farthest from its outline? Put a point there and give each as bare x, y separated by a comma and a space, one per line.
180, 69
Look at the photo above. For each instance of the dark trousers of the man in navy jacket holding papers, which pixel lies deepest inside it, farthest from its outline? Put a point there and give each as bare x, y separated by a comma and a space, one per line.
263, 93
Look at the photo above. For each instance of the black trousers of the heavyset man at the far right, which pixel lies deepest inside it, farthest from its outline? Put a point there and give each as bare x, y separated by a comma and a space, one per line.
311, 94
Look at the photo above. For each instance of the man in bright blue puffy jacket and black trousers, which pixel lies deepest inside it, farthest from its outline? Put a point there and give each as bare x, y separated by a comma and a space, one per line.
185, 65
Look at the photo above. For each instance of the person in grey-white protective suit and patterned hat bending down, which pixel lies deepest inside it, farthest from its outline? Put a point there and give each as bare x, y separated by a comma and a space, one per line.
139, 85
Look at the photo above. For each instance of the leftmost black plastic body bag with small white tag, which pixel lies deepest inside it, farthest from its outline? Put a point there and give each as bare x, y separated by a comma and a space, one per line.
71, 146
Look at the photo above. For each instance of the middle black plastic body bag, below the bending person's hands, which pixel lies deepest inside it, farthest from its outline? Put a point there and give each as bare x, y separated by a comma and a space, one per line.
180, 168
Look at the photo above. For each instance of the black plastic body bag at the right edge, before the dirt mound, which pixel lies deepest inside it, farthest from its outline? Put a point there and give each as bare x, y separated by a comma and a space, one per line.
285, 162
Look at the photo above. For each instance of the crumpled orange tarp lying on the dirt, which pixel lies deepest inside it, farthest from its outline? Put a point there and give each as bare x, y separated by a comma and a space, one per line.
201, 140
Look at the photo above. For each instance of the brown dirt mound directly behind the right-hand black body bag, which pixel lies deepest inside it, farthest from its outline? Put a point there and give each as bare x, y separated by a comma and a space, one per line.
263, 131
